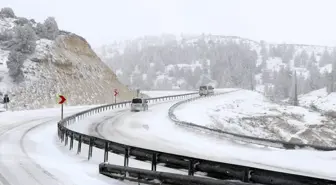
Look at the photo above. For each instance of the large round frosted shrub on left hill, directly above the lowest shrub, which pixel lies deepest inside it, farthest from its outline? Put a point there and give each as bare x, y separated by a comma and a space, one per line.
24, 39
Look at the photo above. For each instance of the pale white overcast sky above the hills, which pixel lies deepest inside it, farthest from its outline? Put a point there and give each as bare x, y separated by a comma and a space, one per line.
103, 21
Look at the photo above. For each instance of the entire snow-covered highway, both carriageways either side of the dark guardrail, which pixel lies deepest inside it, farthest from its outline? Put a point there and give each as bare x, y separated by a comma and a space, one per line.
30, 151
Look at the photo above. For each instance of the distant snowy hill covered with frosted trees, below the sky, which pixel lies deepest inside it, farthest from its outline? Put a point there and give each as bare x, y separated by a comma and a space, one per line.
184, 62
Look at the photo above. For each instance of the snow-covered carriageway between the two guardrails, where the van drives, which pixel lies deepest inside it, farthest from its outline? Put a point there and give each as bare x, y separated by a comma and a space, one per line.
153, 129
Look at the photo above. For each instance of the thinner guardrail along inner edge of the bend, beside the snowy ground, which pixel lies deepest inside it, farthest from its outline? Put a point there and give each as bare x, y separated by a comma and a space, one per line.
239, 137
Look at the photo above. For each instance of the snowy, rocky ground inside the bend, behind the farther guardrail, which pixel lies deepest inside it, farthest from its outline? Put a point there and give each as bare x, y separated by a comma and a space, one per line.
250, 113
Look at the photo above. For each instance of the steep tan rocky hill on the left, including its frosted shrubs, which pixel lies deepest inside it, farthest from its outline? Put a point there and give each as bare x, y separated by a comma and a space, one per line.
39, 62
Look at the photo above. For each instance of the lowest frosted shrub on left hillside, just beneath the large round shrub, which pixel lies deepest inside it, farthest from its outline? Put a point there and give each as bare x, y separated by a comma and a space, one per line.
14, 65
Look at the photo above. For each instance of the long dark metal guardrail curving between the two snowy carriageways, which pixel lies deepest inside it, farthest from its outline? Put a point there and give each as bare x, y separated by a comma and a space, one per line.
218, 170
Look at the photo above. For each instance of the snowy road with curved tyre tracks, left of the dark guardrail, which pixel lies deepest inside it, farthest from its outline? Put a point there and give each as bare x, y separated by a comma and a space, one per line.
30, 152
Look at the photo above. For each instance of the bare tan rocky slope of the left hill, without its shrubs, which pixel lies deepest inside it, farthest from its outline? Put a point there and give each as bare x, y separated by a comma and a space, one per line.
65, 65
